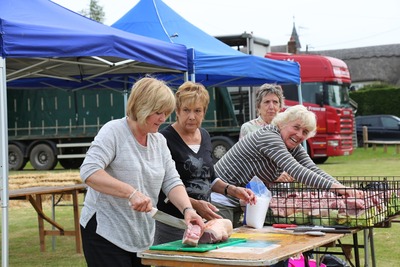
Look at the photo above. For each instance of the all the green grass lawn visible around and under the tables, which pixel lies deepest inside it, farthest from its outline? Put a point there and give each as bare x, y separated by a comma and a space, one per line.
24, 238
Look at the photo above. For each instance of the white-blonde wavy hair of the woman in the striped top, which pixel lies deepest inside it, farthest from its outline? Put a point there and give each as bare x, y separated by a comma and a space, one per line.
298, 112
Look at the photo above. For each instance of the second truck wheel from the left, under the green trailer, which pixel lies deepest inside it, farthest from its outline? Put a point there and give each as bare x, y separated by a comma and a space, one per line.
42, 157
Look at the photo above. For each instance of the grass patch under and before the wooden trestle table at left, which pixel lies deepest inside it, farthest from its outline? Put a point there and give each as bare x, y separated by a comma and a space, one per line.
24, 249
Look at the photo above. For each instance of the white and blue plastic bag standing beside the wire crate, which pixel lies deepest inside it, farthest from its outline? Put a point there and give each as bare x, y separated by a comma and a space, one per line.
254, 215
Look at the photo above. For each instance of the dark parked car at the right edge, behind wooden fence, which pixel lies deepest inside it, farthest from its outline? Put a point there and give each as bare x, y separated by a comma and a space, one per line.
380, 127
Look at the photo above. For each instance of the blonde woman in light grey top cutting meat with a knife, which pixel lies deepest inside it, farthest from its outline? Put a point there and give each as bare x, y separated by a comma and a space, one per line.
125, 168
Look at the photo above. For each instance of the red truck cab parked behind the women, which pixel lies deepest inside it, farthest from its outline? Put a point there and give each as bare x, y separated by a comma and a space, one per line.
325, 83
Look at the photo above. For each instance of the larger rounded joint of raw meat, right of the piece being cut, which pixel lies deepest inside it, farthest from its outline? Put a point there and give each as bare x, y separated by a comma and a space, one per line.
215, 231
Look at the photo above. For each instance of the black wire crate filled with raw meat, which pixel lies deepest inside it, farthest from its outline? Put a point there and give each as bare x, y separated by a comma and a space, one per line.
295, 203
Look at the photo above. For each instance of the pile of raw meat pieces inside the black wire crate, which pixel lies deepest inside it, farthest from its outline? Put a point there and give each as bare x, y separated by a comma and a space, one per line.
327, 208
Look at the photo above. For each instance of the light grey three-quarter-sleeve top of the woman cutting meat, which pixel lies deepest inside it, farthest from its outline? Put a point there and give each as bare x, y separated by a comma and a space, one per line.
150, 168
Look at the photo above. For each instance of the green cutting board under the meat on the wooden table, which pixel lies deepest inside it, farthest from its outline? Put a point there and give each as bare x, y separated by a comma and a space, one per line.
178, 246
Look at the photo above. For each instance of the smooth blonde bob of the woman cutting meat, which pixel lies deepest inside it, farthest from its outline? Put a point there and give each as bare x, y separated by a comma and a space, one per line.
148, 96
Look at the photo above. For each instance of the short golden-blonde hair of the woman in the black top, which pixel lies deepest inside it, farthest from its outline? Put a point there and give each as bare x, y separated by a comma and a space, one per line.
191, 93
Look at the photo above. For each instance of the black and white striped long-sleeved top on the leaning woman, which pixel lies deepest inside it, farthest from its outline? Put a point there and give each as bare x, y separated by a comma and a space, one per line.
265, 155
